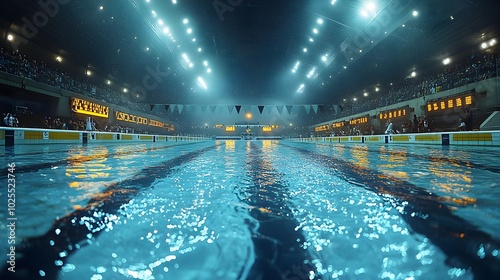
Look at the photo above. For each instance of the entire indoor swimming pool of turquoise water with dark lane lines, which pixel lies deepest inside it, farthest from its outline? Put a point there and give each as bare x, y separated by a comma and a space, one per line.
254, 210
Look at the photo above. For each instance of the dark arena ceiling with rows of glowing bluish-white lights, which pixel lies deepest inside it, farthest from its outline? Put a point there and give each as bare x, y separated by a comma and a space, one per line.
255, 51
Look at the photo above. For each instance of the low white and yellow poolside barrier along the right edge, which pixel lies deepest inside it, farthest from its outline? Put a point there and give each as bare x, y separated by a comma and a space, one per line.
469, 138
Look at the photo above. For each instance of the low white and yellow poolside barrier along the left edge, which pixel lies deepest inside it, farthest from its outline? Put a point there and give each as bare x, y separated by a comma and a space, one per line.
31, 136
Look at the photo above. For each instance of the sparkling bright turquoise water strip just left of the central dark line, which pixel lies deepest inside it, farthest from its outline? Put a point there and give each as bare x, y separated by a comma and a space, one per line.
189, 225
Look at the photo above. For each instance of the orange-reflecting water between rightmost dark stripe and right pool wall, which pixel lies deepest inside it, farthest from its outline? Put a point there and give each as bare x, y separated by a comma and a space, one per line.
460, 176
